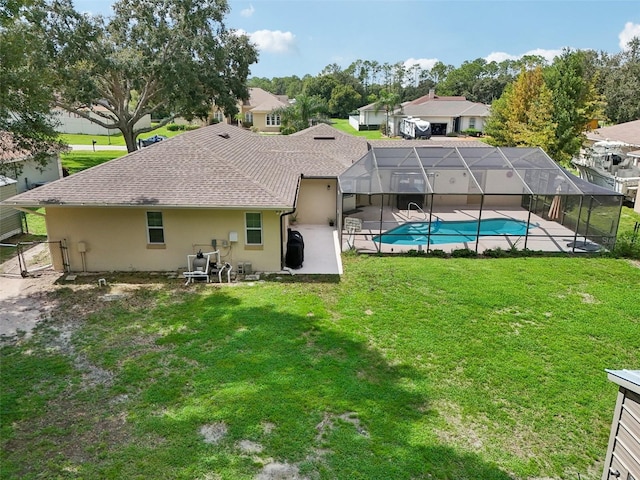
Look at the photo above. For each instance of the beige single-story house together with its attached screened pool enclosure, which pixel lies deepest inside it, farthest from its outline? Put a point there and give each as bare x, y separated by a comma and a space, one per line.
226, 188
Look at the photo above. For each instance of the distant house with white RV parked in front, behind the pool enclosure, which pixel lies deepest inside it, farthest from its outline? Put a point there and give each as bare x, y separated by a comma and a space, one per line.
446, 114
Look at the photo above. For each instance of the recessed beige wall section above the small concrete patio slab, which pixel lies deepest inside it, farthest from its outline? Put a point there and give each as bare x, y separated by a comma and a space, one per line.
316, 201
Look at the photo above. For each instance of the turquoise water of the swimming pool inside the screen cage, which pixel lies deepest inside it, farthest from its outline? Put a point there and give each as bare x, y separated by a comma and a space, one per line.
416, 233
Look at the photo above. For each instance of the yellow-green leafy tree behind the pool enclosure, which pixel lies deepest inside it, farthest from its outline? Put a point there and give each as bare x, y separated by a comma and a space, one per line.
523, 115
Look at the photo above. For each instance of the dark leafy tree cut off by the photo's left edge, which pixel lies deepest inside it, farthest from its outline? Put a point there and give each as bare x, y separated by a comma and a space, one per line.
26, 93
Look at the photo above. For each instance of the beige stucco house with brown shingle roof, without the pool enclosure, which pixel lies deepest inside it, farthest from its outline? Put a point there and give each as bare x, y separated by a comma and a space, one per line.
219, 185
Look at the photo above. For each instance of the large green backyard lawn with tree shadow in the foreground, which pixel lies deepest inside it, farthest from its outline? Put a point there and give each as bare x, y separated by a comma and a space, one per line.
408, 368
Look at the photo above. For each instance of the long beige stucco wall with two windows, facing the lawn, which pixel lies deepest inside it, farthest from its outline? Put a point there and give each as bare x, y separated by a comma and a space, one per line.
116, 238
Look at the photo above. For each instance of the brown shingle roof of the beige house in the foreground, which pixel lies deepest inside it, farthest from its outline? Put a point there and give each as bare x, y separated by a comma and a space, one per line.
219, 166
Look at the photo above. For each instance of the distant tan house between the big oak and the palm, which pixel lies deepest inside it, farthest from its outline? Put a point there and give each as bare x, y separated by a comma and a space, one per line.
257, 111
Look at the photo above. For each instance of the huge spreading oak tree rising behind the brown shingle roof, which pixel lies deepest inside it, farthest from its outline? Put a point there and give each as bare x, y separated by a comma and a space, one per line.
175, 55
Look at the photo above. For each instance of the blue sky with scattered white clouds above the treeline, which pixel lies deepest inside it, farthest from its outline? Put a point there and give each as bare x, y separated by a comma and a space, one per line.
296, 37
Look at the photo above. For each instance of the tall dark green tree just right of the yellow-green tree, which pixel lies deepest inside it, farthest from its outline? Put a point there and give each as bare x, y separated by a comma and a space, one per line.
575, 103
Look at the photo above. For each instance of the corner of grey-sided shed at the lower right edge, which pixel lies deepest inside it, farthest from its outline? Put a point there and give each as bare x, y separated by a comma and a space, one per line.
623, 454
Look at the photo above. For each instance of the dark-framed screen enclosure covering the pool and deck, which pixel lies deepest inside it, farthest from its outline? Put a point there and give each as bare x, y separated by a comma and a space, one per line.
397, 199
